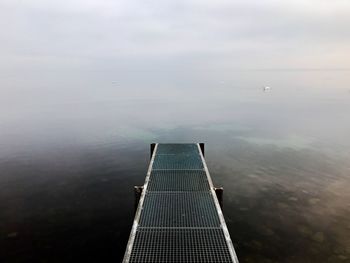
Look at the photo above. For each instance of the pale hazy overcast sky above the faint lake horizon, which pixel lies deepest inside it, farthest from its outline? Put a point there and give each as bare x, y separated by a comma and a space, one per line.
174, 35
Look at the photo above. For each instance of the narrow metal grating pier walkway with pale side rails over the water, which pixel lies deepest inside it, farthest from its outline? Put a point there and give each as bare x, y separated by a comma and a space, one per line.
179, 218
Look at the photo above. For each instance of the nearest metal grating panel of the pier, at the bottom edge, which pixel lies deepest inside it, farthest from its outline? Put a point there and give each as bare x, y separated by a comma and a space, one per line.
180, 245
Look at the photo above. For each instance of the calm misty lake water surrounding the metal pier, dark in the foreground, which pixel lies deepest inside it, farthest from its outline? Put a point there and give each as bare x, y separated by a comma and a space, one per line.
72, 146
